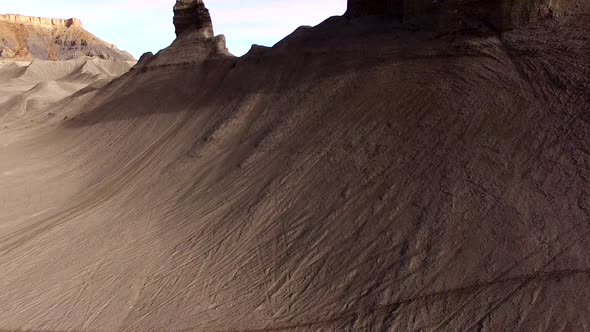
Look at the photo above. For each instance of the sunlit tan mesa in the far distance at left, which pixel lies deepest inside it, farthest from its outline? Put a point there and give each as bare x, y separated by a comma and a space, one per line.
27, 38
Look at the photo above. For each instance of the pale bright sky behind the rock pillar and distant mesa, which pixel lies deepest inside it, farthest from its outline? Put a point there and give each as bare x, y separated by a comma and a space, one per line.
139, 26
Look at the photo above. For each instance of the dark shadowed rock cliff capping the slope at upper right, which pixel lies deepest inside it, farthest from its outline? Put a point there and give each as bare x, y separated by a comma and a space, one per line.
499, 14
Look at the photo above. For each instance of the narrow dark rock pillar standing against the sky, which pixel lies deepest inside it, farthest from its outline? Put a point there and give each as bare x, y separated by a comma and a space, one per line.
192, 14
